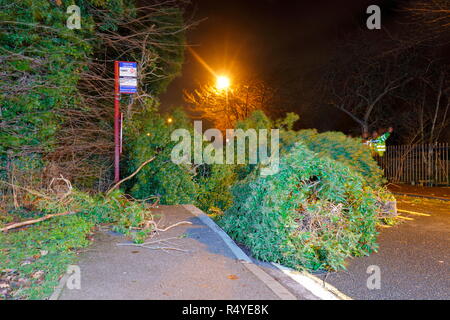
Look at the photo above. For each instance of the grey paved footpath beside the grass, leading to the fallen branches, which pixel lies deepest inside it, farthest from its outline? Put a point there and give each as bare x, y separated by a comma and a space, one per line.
208, 270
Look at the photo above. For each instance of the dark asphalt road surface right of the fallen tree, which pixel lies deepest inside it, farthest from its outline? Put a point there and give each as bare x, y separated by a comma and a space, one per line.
414, 257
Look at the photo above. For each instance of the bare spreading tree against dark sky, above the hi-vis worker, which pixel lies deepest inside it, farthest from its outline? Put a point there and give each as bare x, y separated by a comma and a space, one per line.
357, 83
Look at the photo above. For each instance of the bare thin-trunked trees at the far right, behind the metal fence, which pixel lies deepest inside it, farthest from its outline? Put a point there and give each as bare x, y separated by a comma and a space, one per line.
427, 96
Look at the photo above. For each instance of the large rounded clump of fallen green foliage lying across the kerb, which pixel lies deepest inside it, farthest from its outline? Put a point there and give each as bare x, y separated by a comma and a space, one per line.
313, 214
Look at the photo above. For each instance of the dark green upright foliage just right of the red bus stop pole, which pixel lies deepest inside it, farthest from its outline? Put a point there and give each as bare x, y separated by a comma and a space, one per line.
171, 183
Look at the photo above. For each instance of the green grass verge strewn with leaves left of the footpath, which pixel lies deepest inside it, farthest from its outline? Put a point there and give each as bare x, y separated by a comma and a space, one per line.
33, 259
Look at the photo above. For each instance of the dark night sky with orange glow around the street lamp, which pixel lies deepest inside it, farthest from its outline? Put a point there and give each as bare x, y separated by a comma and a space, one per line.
276, 41
